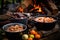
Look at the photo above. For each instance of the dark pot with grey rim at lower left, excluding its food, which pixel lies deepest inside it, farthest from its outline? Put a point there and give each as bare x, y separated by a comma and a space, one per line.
14, 35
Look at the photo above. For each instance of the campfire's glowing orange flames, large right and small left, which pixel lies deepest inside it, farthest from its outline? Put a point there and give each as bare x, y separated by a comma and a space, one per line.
36, 8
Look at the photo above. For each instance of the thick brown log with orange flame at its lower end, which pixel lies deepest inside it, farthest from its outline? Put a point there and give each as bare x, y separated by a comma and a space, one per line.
23, 5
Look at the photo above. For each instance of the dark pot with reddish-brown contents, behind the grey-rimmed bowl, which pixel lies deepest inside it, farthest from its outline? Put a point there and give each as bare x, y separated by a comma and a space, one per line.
19, 18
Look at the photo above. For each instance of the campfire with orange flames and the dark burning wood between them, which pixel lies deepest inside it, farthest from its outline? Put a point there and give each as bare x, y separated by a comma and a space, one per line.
31, 8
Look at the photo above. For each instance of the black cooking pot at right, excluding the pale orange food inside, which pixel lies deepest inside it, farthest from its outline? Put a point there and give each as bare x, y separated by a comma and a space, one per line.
44, 26
